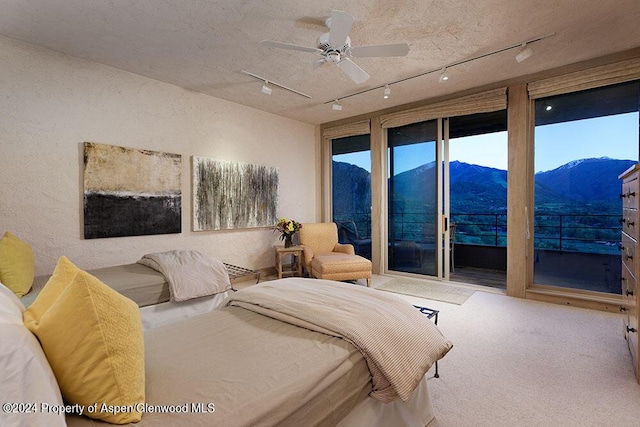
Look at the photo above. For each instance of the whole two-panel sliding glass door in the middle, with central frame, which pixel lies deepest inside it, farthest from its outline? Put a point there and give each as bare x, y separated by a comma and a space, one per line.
424, 181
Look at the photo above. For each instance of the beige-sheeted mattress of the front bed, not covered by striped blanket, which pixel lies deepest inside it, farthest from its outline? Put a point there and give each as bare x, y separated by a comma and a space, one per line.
248, 369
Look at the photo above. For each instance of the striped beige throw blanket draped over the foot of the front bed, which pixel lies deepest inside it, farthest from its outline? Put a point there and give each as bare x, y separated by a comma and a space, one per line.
398, 343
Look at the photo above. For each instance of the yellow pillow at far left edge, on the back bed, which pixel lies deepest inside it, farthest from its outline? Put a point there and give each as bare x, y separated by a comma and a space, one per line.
17, 264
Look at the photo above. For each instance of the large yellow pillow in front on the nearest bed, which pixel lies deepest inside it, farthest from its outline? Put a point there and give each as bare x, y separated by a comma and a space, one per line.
92, 337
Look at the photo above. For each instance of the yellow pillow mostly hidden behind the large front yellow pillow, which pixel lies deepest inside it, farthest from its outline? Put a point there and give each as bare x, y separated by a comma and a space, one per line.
63, 274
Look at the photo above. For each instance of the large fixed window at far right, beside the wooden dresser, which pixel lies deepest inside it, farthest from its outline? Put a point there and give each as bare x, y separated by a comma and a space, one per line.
583, 142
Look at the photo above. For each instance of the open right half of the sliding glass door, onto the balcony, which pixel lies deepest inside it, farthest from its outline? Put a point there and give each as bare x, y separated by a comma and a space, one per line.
478, 190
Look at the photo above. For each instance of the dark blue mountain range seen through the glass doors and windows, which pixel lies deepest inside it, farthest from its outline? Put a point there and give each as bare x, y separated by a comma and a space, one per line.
578, 185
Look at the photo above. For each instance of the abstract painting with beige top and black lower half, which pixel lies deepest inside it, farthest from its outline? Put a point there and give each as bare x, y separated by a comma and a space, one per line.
130, 192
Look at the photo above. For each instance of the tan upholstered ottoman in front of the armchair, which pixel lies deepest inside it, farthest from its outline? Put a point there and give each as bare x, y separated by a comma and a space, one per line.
341, 267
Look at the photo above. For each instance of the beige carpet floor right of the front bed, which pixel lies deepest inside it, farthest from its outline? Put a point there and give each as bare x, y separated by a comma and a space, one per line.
524, 363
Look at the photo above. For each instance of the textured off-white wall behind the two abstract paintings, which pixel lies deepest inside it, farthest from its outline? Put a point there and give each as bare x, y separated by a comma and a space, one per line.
51, 103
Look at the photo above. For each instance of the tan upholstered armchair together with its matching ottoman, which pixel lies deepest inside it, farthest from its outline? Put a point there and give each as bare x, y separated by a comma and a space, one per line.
325, 258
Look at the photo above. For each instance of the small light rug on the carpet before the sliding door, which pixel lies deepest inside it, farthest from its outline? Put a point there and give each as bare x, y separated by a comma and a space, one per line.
429, 290
